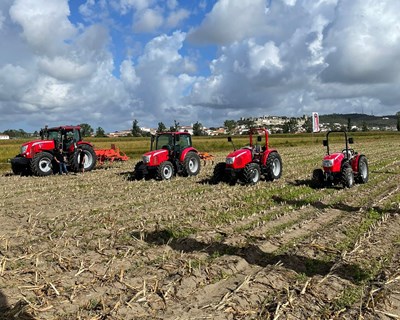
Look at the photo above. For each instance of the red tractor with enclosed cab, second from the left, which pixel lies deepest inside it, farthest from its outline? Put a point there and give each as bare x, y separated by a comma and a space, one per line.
173, 154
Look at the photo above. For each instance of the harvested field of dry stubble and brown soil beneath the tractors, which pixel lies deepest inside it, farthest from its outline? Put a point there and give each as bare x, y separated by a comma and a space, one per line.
102, 246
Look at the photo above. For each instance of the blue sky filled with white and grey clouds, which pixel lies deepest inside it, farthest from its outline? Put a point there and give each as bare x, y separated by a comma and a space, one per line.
107, 62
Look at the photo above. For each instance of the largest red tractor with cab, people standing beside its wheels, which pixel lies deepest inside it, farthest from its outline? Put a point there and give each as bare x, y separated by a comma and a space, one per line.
37, 157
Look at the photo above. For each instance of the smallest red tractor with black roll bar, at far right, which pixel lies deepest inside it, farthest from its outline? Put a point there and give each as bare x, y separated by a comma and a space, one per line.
345, 167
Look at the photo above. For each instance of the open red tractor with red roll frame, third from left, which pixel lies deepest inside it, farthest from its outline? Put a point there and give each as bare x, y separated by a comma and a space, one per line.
250, 163
